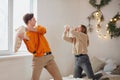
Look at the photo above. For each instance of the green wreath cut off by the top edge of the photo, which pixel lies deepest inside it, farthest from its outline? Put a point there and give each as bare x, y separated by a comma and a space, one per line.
98, 6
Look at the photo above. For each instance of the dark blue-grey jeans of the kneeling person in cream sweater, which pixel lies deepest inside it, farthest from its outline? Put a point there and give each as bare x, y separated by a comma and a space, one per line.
82, 62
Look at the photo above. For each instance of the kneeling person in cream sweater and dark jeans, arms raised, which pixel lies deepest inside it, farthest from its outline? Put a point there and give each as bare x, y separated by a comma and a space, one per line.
80, 42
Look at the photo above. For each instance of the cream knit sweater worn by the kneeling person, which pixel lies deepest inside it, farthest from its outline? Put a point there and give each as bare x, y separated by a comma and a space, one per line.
80, 41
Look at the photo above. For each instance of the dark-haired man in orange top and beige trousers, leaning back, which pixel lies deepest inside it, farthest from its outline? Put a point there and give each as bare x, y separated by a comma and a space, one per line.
39, 47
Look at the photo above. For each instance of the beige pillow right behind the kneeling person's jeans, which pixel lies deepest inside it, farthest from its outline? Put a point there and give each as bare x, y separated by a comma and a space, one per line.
97, 64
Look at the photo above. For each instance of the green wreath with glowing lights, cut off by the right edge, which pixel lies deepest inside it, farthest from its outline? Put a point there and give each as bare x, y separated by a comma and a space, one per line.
112, 28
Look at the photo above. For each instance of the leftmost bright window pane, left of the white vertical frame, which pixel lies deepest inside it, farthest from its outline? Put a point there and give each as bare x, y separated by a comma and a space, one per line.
4, 24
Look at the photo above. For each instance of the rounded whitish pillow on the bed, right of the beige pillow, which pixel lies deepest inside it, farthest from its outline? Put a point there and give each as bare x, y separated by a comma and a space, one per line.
110, 66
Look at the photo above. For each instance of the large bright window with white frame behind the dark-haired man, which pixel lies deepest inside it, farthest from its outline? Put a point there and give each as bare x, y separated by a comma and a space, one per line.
11, 14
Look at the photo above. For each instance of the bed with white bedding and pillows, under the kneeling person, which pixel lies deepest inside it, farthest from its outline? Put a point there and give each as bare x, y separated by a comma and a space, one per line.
110, 70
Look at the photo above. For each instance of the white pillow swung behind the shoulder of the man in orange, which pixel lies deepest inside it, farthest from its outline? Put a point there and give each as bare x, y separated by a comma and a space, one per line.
18, 41
